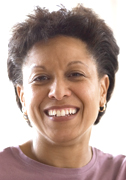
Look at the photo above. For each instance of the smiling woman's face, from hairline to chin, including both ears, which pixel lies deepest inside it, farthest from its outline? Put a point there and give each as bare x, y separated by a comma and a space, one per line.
61, 91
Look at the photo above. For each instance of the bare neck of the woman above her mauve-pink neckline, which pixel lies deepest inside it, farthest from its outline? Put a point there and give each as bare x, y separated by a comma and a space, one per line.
59, 155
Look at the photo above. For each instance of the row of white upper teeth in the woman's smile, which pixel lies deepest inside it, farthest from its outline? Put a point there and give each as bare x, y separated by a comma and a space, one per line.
63, 112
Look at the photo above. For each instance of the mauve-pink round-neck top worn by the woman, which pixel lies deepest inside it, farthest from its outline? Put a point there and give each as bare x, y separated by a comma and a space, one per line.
14, 165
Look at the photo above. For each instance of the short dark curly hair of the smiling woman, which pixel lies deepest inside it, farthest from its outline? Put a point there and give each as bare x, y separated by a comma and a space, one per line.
80, 22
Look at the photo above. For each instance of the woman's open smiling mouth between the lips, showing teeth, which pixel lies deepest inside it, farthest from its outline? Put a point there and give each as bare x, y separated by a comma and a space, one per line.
61, 112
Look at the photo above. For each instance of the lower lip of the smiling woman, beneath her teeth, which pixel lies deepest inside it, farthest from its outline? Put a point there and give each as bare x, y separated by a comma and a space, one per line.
62, 118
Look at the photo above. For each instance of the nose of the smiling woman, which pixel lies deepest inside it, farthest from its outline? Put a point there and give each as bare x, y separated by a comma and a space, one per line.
59, 89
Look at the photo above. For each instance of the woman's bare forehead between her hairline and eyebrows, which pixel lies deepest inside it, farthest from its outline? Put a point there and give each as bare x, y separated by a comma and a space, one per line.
61, 48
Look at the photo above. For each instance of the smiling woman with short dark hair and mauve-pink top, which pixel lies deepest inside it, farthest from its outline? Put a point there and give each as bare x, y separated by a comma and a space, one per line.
62, 65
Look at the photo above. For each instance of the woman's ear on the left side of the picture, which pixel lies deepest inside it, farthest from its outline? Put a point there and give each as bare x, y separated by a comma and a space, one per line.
20, 92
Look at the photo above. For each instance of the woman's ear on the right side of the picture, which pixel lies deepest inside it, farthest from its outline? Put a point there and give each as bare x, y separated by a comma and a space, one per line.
104, 85
